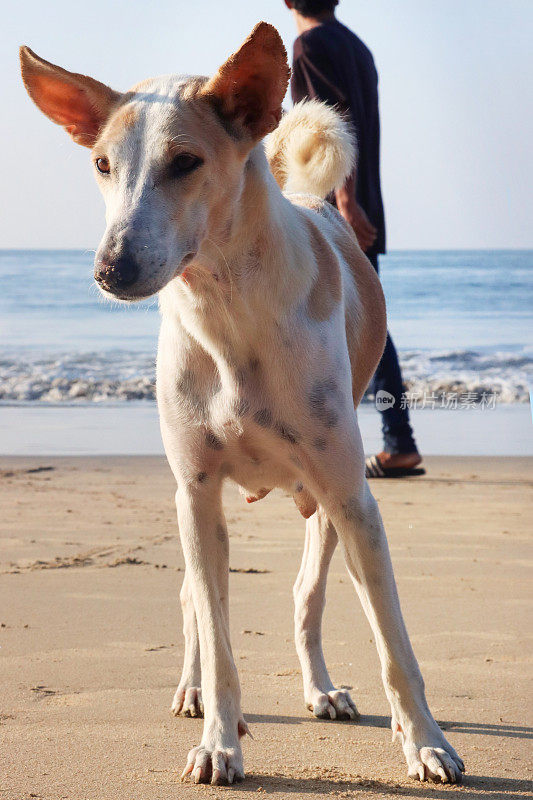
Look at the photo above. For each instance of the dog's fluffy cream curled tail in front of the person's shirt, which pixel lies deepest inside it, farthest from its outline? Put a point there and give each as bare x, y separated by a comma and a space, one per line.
312, 151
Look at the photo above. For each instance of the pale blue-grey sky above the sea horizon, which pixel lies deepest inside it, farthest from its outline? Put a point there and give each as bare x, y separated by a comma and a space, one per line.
455, 97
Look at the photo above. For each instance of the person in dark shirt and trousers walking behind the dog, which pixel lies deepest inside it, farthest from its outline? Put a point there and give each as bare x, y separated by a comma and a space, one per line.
330, 63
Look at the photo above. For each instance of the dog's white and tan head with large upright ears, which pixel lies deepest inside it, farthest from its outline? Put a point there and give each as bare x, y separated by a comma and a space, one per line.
169, 155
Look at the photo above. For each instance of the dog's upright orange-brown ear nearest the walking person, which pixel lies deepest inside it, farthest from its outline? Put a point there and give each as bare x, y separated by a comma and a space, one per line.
249, 88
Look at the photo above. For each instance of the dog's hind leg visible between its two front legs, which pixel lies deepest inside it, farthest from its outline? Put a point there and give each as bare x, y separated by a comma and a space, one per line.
320, 695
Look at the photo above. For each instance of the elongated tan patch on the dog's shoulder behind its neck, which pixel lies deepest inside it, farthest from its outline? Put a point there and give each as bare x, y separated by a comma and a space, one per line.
327, 290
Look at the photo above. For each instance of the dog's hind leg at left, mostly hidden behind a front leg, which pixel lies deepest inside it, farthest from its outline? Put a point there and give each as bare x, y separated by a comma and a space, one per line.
188, 697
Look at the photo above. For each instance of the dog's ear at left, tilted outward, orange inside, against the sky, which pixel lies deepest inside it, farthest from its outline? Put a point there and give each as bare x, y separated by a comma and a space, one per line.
78, 103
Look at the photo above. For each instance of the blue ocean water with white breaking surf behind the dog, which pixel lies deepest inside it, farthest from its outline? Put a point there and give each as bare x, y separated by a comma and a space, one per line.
462, 322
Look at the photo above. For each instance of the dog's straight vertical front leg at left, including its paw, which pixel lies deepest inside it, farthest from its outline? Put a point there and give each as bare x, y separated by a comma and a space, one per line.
204, 539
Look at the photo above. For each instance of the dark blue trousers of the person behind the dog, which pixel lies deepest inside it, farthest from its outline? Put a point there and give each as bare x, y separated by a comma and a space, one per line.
397, 432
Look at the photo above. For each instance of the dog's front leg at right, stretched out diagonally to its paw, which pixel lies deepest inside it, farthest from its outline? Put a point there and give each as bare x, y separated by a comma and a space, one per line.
346, 498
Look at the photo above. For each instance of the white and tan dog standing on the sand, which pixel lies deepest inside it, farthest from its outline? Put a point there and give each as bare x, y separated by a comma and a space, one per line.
273, 322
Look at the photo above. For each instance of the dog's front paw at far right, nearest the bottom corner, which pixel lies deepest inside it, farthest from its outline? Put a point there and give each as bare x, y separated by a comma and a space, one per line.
431, 757
